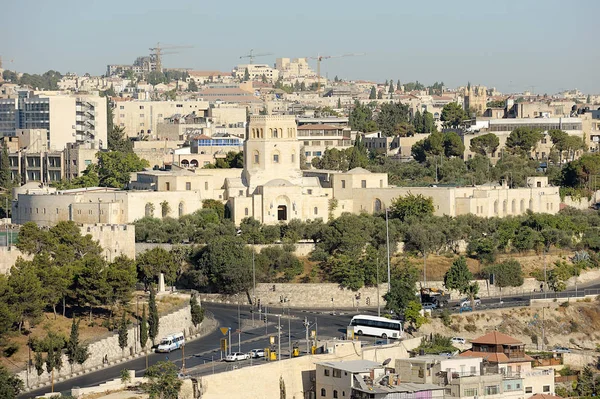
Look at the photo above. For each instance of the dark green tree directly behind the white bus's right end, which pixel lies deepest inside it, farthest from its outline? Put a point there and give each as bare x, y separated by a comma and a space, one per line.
403, 288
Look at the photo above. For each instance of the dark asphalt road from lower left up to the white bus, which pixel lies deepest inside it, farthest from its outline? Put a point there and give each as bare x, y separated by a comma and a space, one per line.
202, 351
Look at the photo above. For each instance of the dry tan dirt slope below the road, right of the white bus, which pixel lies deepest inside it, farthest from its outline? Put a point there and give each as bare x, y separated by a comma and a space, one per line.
575, 325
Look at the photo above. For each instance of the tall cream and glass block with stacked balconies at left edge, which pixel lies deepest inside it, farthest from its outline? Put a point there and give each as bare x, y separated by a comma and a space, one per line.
67, 118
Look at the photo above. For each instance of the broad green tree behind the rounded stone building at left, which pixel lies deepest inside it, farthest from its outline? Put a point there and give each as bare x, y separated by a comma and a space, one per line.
114, 167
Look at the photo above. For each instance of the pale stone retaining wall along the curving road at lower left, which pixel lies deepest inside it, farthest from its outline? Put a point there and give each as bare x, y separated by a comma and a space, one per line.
178, 320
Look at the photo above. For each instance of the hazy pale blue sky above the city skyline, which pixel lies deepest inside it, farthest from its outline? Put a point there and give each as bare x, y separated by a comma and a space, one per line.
540, 45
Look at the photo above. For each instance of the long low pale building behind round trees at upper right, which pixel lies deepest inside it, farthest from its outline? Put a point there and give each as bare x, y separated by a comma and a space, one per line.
503, 127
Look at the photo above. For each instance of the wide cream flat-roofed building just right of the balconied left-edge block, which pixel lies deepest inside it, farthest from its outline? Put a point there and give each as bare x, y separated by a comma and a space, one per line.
140, 118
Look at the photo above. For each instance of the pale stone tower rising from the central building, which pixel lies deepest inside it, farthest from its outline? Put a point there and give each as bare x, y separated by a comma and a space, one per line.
271, 151
